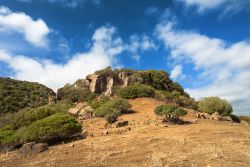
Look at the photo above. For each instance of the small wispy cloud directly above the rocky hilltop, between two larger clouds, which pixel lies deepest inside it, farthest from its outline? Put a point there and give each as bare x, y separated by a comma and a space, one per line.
140, 44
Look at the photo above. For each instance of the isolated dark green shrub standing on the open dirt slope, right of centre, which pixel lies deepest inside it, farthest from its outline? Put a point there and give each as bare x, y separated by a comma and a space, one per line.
170, 112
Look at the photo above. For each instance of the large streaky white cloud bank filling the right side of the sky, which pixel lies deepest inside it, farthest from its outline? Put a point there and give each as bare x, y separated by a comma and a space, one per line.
226, 65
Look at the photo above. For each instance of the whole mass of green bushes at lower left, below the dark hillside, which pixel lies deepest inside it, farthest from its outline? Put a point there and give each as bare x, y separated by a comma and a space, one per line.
48, 123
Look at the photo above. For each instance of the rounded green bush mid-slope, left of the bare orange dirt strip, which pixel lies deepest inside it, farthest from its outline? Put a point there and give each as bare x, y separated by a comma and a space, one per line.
118, 106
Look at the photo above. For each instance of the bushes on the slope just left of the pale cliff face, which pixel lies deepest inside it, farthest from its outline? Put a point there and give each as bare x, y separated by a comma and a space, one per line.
75, 94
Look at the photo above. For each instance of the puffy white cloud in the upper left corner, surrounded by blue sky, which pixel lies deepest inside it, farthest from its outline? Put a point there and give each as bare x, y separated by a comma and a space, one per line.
34, 31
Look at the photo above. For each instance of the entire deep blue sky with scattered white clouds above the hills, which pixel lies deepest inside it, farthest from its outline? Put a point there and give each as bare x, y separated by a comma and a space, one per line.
203, 44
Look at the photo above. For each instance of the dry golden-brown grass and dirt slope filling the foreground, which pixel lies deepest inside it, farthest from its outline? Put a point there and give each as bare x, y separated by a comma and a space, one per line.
148, 143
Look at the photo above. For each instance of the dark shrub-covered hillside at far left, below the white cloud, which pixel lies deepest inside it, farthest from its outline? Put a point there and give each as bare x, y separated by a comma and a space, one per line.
16, 95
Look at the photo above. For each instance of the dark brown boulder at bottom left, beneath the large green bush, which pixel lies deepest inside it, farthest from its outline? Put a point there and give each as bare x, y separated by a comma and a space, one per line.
33, 148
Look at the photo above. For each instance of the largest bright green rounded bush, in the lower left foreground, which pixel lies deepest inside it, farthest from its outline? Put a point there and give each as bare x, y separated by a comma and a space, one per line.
54, 128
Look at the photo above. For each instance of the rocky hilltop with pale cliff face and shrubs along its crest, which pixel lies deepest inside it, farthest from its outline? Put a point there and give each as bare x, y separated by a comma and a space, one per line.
106, 80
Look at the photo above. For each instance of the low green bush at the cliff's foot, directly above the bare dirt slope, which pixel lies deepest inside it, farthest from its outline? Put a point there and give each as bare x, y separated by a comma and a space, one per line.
136, 90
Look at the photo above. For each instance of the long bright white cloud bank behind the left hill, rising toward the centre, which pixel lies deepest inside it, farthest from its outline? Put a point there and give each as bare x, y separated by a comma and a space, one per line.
106, 45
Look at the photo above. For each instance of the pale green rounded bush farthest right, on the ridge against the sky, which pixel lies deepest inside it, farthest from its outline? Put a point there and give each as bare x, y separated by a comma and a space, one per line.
211, 105
